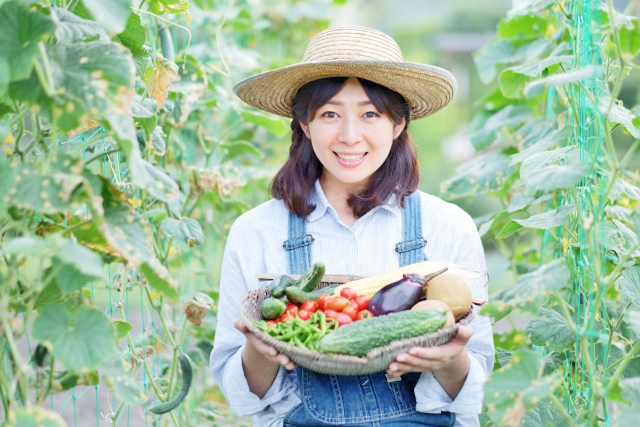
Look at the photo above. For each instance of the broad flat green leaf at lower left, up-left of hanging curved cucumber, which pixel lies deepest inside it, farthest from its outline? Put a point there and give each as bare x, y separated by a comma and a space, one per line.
83, 339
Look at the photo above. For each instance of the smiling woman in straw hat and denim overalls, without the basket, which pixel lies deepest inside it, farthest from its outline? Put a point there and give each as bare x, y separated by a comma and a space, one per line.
347, 196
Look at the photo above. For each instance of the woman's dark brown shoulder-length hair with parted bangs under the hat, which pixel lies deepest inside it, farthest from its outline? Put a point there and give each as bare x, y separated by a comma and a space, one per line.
399, 174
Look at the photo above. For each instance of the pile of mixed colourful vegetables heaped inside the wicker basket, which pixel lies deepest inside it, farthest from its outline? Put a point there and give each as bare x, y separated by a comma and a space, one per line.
336, 319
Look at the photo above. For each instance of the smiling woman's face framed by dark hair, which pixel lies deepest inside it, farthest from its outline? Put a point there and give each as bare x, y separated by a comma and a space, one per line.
350, 137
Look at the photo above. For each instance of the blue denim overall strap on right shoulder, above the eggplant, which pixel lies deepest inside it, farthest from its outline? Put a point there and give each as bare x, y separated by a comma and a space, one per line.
410, 249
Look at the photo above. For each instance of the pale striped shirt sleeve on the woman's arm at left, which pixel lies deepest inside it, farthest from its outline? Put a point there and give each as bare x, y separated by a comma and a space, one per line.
226, 357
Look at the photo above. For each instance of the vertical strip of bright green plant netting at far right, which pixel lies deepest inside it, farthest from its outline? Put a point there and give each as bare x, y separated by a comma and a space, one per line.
588, 123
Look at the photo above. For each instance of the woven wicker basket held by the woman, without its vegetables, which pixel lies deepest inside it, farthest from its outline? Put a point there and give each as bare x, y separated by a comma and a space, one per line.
375, 361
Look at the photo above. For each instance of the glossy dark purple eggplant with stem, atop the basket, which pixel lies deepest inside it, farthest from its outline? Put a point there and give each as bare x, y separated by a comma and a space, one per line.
401, 295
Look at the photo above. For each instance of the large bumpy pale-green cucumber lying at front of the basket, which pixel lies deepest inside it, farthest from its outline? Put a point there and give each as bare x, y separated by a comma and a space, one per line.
359, 338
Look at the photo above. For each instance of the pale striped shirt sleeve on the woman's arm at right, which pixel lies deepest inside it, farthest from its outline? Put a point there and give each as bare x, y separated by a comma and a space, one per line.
430, 395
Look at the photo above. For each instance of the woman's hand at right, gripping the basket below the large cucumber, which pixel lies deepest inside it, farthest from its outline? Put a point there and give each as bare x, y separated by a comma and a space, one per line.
450, 357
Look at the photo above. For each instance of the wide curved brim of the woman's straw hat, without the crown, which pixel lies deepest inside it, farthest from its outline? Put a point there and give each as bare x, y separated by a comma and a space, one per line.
426, 88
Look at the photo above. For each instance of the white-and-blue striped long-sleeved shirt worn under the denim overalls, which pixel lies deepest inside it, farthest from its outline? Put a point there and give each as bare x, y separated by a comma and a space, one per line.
367, 248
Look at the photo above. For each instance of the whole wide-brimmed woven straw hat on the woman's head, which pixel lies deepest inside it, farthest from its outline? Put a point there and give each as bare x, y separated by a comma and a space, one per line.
354, 52
